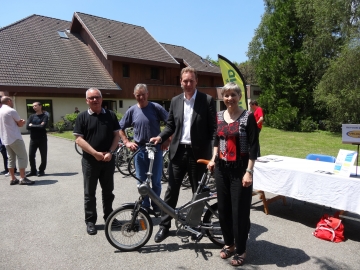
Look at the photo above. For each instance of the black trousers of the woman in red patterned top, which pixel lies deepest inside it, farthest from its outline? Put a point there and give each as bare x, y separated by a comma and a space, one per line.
234, 202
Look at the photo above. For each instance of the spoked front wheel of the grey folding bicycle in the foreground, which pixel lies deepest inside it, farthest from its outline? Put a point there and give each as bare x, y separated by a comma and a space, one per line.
126, 237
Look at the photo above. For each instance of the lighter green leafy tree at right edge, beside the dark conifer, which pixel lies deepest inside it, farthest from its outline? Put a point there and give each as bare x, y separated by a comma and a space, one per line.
332, 28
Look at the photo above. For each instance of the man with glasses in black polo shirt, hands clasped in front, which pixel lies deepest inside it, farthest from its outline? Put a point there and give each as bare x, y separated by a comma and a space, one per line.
97, 133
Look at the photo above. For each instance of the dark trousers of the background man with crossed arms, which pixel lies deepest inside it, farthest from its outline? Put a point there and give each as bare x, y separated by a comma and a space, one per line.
40, 144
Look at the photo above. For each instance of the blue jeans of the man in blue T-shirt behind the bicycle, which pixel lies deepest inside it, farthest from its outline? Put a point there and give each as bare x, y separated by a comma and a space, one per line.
142, 163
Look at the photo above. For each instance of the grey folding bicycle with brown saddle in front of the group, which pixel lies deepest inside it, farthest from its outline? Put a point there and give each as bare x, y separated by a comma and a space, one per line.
137, 226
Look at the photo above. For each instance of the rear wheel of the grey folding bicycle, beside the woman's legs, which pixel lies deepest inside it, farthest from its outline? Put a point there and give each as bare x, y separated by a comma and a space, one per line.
211, 219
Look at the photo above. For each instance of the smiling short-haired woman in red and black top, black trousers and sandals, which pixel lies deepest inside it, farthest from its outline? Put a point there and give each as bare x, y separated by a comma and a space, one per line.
235, 151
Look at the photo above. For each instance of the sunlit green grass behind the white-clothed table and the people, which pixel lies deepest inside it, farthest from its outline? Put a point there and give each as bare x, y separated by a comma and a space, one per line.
286, 143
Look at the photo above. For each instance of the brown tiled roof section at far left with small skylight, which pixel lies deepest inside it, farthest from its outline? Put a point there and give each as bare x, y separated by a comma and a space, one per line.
33, 54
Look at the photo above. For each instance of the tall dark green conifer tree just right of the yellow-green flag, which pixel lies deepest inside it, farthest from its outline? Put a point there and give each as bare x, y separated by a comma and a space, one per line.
281, 71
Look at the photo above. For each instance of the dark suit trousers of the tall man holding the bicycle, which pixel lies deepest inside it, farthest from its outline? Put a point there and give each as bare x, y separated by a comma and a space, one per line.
182, 163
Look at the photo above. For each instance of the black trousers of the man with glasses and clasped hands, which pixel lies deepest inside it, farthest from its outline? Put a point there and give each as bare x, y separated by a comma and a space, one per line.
94, 171
